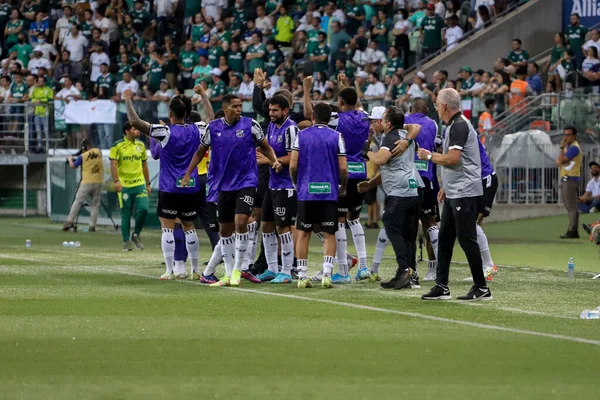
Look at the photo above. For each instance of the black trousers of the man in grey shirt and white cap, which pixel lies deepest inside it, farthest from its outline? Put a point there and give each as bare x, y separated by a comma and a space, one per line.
401, 222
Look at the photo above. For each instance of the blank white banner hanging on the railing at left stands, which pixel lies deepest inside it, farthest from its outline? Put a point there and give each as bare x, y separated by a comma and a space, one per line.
85, 112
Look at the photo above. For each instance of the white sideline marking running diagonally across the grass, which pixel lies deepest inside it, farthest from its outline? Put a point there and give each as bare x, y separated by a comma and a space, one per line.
369, 308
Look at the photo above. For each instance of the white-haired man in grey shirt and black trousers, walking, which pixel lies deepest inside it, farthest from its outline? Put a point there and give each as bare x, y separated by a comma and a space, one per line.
461, 176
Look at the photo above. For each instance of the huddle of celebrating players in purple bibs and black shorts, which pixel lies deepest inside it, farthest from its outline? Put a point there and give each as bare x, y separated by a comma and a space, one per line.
316, 180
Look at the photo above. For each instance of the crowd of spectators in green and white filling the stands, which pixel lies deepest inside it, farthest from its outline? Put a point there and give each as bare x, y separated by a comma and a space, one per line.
97, 49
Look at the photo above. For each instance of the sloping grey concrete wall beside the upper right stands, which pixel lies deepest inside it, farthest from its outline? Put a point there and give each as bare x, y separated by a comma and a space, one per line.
534, 23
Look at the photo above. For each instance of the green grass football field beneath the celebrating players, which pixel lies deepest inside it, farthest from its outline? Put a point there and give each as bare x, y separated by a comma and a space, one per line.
94, 323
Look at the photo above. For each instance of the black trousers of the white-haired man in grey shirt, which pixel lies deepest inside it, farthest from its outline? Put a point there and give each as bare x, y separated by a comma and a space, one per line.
459, 219
